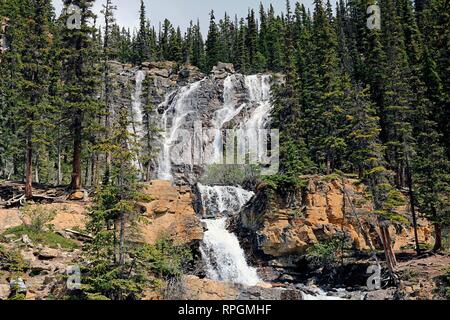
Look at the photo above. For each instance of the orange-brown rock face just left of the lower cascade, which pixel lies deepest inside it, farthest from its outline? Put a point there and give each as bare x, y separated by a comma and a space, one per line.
171, 213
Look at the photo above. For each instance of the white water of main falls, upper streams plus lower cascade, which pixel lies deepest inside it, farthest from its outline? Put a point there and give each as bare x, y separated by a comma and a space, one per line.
221, 251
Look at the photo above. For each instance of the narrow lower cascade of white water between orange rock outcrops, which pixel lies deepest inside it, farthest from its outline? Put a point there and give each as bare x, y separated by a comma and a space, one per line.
223, 256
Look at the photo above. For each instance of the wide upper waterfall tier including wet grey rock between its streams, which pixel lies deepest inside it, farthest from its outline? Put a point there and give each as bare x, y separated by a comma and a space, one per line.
195, 115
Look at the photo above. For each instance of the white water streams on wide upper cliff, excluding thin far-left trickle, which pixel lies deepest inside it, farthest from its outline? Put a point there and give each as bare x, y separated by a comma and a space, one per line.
184, 108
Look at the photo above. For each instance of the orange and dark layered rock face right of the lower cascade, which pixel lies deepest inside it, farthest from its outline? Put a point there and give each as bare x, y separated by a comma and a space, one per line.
286, 224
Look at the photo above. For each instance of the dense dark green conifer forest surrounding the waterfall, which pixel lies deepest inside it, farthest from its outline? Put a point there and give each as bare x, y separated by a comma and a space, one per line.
372, 103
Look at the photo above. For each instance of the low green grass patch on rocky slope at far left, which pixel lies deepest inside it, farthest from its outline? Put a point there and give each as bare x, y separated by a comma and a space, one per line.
46, 238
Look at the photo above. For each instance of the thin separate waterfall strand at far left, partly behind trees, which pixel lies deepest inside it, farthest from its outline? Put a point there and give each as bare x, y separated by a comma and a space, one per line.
136, 115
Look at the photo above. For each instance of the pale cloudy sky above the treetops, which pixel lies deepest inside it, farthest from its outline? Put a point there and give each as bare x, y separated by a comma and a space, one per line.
181, 12
